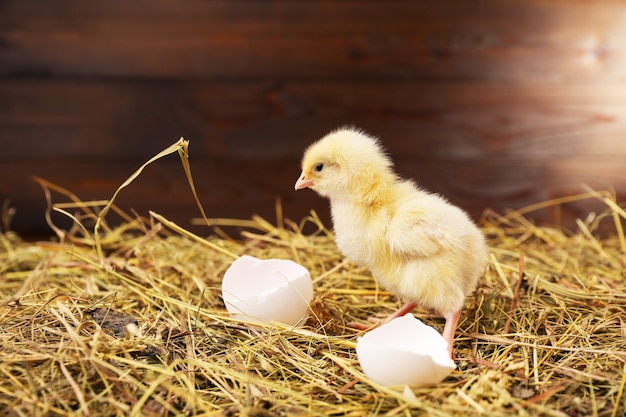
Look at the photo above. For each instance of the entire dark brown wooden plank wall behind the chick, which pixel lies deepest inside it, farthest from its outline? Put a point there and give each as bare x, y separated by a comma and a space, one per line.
494, 104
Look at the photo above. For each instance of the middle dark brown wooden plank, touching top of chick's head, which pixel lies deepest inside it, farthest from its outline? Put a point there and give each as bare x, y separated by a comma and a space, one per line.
265, 120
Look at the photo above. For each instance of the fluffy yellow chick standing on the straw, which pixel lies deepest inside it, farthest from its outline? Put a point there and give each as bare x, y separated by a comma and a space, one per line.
416, 244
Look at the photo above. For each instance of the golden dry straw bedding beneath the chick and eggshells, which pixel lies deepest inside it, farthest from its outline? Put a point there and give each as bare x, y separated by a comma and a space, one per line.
129, 321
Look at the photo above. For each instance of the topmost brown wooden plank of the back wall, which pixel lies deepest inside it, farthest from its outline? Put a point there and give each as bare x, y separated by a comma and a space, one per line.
495, 41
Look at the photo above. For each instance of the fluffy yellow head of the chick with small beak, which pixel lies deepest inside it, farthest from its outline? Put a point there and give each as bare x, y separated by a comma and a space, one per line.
344, 162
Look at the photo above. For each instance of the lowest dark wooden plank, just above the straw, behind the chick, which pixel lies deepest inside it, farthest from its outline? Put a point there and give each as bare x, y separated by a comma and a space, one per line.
239, 190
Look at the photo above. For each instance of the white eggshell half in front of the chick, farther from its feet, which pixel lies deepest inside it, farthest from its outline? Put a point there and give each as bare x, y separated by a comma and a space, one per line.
267, 290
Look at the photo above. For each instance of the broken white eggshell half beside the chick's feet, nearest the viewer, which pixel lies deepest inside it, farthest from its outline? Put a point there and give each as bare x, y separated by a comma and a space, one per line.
404, 351
